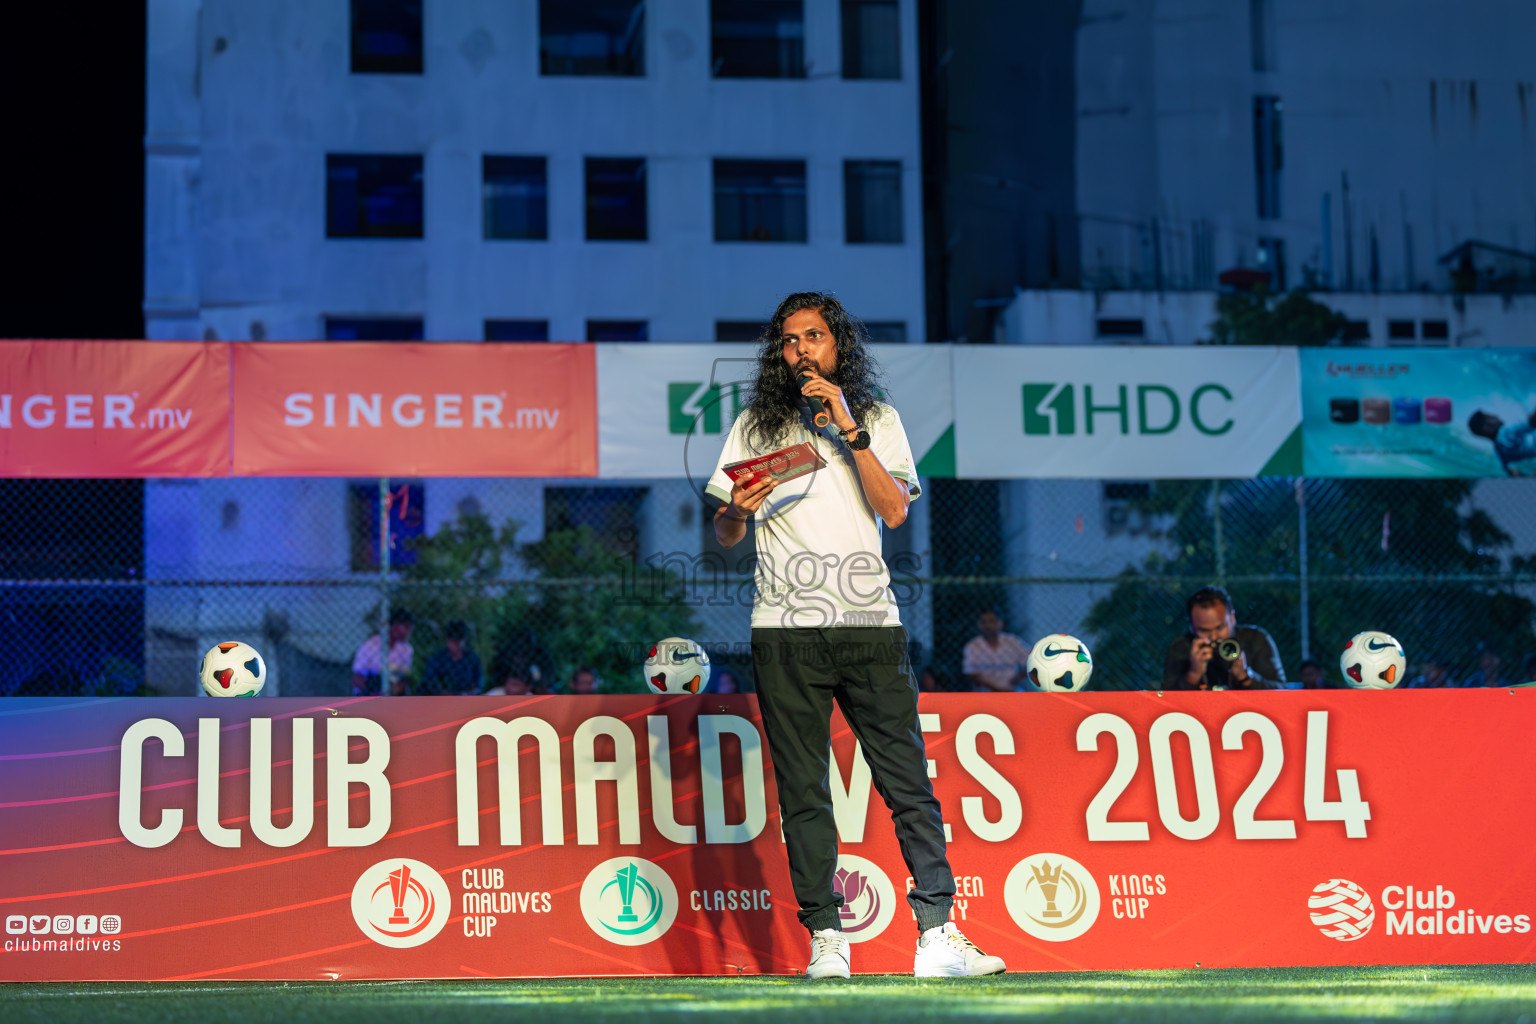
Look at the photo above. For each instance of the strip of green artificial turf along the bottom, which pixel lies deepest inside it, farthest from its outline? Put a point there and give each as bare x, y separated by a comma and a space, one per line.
1285, 994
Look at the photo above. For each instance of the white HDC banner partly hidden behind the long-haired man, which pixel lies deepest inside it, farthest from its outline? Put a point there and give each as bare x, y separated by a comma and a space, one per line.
664, 411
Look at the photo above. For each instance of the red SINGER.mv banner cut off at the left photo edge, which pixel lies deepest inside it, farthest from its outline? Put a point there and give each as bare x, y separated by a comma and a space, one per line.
114, 409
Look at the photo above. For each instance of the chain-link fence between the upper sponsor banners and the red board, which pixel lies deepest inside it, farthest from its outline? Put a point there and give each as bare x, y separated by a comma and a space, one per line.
118, 587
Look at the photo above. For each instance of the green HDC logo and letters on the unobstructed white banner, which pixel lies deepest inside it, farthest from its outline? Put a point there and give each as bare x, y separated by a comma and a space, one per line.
1053, 409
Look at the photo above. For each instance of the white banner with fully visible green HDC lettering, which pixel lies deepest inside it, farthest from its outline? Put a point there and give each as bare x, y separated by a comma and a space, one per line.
1127, 412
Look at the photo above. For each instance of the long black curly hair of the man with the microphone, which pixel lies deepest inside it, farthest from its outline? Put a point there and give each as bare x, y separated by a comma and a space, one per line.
773, 405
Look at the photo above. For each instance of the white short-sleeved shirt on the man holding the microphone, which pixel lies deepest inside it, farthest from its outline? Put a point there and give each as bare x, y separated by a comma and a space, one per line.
818, 538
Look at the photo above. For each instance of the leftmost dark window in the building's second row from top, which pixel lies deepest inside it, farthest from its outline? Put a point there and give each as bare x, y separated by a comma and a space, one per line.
374, 197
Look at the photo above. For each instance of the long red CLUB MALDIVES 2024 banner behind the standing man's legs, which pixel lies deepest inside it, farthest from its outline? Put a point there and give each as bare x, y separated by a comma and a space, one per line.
629, 836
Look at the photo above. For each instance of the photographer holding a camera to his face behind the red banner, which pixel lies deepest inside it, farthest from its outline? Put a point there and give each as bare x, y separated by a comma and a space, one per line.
1220, 655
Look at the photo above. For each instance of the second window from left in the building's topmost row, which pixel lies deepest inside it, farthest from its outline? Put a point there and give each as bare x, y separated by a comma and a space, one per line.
592, 38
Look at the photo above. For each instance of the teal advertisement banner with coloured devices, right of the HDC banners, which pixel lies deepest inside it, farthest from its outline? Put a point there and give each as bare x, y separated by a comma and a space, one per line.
1406, 412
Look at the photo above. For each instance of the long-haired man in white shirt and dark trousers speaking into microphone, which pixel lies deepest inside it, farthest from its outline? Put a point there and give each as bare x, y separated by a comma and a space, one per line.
826, 627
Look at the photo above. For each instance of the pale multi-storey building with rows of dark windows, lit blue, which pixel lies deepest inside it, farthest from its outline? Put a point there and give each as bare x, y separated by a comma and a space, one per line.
489, 171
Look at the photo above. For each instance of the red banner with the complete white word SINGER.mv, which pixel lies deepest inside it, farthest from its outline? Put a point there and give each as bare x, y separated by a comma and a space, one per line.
334, 409
